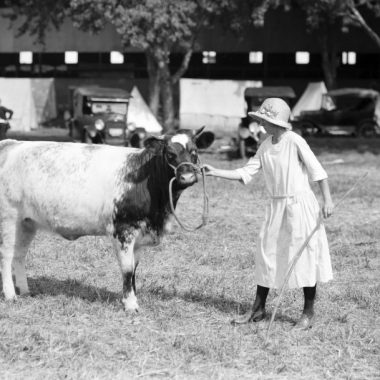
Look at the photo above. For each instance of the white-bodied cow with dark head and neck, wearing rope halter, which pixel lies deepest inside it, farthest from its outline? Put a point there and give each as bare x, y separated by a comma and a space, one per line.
77, 189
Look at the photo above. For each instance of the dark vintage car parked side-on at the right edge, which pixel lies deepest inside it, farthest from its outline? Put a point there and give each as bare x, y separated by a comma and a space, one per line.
345, 111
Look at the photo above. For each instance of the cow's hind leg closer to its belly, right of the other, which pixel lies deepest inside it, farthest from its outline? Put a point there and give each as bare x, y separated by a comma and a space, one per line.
24, 235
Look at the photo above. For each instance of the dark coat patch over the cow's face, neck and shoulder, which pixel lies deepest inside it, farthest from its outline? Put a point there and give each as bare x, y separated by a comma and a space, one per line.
146, 176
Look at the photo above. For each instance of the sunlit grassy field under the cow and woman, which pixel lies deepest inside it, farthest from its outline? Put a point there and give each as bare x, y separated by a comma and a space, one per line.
191, 286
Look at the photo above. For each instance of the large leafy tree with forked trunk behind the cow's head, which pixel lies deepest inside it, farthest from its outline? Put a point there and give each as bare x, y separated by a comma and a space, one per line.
157, 27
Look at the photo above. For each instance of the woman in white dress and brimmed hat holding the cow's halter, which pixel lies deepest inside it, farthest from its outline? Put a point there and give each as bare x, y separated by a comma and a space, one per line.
287, 163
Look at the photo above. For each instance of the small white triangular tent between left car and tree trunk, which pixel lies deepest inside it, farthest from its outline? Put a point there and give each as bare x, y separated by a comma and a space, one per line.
140, 114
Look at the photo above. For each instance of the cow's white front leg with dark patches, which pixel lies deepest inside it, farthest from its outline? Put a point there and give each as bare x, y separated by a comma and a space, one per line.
124, 246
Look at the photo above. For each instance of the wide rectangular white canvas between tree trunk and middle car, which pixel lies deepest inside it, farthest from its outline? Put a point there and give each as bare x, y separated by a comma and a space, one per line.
218, 104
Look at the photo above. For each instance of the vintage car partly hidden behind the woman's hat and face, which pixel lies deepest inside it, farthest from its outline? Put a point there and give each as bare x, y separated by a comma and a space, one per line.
250, 134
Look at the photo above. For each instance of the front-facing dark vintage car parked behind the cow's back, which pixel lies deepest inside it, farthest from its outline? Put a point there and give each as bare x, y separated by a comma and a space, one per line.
99, 115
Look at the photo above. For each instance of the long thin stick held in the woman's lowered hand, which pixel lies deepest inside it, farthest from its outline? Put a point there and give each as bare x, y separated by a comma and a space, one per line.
300, 251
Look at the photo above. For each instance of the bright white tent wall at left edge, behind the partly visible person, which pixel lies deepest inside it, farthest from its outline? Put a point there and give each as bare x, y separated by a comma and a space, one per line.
16, 94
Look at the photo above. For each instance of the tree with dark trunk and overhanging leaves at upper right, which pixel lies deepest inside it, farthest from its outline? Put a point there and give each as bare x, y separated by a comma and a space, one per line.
328, 18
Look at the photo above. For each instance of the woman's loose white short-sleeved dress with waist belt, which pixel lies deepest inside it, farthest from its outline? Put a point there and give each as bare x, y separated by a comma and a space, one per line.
290, 215
